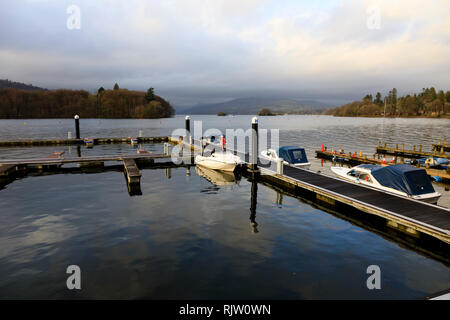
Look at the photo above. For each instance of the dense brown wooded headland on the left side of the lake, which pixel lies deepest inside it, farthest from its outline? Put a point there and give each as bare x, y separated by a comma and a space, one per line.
20, 101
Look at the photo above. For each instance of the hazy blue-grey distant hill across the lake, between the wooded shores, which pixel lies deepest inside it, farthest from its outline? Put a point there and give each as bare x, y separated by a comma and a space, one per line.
254, 105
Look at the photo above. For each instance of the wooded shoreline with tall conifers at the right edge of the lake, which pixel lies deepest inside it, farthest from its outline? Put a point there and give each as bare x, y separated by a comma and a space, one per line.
428, 103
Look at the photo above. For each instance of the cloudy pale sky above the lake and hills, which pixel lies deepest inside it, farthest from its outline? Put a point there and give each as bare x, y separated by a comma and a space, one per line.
205, 51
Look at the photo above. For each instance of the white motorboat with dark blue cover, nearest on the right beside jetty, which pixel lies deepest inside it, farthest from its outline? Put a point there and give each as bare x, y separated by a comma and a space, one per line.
400, 179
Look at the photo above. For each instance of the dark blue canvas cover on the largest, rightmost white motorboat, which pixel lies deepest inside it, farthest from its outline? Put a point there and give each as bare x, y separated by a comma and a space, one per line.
402, 177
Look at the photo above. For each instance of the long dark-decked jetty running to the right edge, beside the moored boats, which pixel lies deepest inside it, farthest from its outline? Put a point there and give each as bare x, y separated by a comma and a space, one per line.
407, 215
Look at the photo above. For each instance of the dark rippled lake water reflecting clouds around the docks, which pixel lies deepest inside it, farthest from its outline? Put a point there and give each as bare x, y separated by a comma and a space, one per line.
187, 238
